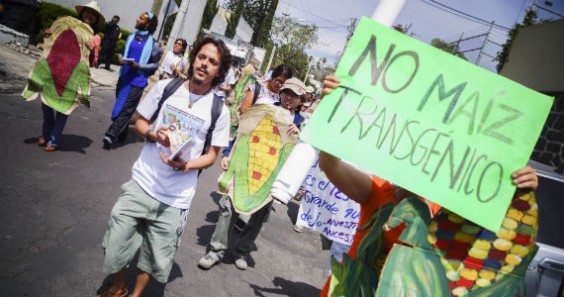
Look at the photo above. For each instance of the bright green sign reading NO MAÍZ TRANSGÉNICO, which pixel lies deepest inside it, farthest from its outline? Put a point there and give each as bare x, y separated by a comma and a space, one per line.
430, 122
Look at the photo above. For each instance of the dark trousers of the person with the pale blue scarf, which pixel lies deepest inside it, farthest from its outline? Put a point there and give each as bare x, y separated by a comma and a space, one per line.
118, 129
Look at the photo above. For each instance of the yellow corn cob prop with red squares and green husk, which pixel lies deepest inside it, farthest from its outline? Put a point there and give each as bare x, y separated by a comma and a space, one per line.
262, 147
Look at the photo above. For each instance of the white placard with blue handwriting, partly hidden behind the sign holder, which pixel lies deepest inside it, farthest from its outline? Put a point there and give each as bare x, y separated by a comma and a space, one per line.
325, 209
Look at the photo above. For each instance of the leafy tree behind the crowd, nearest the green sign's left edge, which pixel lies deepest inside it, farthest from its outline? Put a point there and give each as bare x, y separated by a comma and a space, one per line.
291, 39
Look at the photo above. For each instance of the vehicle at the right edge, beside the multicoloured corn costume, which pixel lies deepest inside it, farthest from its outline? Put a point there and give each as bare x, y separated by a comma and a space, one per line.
545, 275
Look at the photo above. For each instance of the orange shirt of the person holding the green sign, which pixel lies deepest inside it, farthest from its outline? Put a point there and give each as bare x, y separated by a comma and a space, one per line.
382, 193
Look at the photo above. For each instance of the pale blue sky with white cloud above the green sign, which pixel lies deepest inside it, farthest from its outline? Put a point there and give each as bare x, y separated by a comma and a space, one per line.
427, 20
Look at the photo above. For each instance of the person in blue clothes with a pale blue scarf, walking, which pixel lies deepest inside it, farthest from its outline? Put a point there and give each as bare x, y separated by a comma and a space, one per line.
140, 60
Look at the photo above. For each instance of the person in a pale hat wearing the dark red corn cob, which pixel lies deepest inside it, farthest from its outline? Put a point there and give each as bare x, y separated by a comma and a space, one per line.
62, 78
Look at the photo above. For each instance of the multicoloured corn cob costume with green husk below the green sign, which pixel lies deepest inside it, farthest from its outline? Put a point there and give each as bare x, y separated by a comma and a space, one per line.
443, 256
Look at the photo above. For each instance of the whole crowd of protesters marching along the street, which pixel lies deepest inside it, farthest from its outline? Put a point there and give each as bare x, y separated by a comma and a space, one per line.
192, 84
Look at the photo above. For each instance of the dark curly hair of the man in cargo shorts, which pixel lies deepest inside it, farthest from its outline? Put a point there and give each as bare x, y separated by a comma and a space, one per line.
223, 51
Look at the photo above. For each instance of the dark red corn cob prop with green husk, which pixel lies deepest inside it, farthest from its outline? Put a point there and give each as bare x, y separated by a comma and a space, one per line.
61, 75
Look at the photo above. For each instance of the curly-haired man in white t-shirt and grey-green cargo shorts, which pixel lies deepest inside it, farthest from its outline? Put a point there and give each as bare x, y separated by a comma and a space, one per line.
152, 209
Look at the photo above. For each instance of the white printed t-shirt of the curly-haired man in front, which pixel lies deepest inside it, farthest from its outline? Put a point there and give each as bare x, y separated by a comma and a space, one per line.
160, 181
